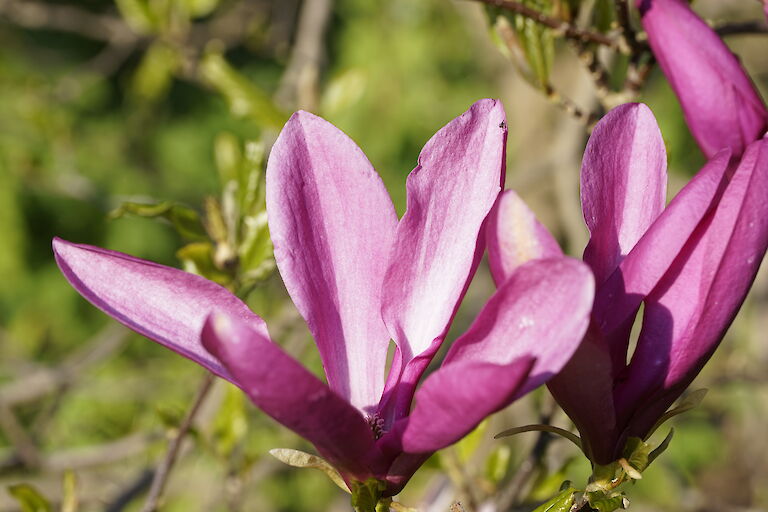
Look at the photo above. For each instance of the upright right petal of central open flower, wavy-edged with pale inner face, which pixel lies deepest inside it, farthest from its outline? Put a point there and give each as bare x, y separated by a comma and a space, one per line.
438, 246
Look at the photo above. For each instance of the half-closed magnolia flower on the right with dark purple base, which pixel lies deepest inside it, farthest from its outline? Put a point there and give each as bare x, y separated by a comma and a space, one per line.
690, 263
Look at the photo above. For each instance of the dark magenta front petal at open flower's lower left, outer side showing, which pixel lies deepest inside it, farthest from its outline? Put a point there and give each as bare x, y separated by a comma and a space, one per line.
282, 388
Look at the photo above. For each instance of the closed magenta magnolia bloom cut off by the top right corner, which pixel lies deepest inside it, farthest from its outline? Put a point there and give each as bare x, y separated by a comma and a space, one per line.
720, 103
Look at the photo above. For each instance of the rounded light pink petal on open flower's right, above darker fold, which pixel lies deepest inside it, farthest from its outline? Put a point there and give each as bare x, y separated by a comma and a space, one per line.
541, 311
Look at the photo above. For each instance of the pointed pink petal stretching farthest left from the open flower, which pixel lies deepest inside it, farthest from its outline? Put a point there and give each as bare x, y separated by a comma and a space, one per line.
162, 303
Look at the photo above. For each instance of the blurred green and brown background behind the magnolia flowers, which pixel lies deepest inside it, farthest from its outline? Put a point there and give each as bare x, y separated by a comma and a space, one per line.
103, 102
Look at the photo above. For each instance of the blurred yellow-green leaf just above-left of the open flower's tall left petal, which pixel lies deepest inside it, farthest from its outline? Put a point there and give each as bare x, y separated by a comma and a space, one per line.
245, 98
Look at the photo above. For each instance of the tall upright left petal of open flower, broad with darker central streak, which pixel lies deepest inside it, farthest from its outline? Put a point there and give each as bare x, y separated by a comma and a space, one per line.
332, 225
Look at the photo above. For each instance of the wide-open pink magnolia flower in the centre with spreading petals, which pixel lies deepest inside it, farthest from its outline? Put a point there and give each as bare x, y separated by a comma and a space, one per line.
361, 278
